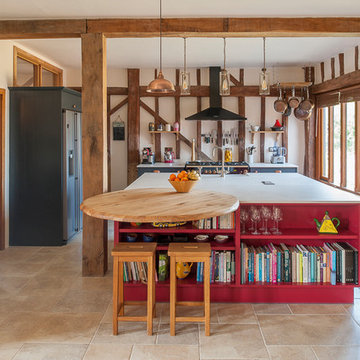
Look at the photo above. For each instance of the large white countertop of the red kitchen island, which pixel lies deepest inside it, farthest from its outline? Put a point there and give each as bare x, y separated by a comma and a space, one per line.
288, 188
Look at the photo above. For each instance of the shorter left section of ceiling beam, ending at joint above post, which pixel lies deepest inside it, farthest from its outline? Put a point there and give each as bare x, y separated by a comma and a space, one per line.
37, 29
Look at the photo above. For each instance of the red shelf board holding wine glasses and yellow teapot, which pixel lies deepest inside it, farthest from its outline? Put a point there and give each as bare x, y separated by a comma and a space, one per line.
303, 234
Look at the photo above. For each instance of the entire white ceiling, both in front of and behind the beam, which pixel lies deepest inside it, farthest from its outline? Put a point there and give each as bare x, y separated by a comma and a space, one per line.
202, 52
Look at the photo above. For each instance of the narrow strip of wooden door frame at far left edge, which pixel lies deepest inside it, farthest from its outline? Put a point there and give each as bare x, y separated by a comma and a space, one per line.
2, 167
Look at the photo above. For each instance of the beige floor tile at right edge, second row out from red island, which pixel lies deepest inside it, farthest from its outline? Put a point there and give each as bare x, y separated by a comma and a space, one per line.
309, 330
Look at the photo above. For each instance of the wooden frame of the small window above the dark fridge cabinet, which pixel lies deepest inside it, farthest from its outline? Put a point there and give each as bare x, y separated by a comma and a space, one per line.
38, 65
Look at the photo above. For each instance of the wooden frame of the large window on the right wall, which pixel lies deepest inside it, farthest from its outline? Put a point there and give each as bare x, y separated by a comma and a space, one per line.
343, 159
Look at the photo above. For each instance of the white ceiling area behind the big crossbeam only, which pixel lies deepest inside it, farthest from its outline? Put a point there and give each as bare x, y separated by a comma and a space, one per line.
201, 52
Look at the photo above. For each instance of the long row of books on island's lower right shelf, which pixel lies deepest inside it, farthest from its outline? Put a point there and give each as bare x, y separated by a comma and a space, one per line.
332, 263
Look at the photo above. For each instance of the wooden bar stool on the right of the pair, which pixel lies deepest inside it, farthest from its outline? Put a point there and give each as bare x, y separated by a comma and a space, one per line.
189, 252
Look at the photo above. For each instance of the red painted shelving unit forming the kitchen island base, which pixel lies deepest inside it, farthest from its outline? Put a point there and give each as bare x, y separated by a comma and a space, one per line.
297, 227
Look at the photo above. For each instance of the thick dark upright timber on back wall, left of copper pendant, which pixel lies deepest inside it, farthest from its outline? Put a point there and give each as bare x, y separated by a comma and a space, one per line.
133, 142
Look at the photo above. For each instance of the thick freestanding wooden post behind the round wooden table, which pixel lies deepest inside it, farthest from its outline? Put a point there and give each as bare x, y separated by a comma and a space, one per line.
94, 144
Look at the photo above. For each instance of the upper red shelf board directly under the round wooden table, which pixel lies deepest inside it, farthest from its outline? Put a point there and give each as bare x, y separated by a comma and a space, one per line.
187, 228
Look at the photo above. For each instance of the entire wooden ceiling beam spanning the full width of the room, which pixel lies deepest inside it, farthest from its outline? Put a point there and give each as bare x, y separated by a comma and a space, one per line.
182, 27
